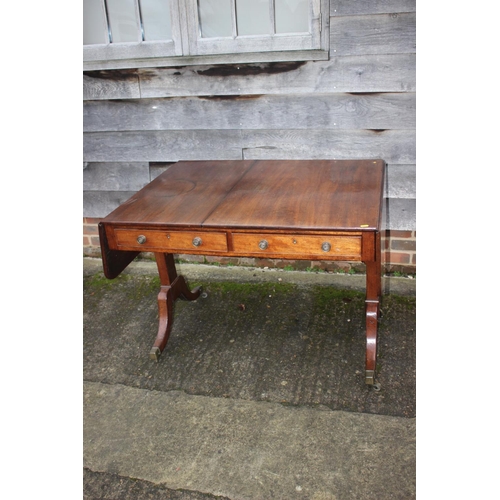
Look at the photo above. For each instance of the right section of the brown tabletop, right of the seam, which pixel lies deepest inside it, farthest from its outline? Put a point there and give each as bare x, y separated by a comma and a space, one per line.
318, 194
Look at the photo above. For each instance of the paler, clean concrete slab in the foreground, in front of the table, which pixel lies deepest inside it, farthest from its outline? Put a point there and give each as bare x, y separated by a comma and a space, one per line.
247, 450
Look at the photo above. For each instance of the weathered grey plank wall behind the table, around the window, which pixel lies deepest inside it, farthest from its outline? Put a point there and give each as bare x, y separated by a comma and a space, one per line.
358, 104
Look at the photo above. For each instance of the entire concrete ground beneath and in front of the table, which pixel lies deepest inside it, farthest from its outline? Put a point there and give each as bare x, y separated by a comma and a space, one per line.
244, 402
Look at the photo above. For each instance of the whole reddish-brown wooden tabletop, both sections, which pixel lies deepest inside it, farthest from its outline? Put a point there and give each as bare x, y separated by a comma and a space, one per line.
260, 194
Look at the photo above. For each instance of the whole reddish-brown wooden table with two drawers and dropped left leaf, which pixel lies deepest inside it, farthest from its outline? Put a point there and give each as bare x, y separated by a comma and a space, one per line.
293, 209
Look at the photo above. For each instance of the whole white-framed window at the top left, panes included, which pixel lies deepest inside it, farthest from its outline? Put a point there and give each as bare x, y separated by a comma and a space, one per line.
138, 33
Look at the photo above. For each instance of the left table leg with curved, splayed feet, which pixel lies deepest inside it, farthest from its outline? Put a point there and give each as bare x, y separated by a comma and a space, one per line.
172, 287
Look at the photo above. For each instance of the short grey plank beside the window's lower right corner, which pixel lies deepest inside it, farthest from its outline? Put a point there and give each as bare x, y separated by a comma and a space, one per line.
379, 34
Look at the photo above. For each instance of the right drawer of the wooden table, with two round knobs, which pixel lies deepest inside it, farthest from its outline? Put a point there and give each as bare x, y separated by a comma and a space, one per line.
290, 245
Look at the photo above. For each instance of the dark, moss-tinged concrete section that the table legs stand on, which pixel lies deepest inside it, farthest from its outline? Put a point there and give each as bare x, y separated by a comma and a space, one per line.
273, 341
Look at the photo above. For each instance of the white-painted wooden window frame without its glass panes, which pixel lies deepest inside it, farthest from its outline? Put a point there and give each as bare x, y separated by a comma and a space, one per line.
188, 47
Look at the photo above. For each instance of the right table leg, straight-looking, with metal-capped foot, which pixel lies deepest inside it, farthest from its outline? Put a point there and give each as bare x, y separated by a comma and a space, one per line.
372, 308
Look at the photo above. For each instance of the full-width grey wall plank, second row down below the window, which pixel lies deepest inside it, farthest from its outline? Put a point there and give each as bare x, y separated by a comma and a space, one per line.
327, 111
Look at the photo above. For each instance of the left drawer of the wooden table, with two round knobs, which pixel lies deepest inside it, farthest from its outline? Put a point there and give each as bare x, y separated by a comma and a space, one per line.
171, 241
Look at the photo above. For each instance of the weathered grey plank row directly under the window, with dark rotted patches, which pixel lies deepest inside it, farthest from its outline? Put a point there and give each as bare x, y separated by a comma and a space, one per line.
368, 73
